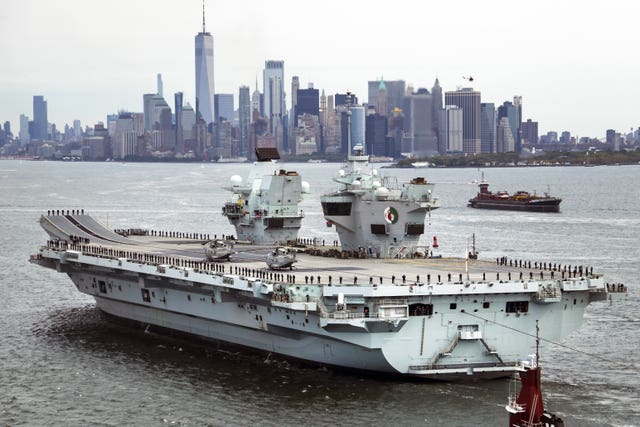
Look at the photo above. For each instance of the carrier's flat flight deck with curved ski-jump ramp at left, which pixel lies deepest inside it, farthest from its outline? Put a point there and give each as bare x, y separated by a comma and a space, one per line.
185, 250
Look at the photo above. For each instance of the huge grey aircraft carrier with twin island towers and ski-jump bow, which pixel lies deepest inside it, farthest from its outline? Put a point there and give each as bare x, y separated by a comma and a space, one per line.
377, 301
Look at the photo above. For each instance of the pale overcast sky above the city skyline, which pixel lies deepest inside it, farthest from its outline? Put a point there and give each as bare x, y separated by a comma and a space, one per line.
575, 65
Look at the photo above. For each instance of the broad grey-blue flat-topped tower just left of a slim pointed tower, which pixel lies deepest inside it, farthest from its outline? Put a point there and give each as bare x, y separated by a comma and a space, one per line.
418, 110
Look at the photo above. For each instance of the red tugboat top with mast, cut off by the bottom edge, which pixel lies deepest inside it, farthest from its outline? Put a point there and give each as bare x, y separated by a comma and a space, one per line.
527, 410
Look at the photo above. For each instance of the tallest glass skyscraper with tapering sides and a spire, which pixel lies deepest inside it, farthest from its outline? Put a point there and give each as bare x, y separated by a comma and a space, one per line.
204, 75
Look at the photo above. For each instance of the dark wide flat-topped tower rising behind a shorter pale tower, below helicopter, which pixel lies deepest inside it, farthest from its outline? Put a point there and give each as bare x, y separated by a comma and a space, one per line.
469, 100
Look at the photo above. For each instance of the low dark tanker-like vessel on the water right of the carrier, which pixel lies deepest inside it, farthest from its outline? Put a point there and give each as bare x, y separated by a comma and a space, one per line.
520, 201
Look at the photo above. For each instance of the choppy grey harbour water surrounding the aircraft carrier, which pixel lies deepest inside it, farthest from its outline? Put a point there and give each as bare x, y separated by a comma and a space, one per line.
64, 363
